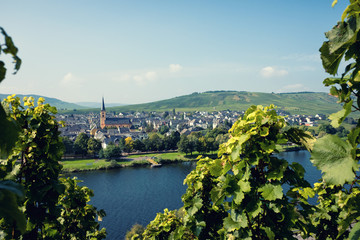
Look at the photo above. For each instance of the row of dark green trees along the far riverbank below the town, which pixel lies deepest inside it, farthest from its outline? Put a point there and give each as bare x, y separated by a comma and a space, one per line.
203, 142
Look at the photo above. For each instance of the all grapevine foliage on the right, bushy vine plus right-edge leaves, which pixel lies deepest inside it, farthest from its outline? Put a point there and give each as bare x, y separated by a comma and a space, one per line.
241, 195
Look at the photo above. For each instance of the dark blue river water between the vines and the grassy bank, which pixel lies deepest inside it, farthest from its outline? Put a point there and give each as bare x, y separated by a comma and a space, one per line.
135, 195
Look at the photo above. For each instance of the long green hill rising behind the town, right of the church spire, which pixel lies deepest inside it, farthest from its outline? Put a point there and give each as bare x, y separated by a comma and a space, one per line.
294, 103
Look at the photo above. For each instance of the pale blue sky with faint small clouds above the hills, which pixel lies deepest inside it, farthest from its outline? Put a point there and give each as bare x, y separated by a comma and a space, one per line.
138, 51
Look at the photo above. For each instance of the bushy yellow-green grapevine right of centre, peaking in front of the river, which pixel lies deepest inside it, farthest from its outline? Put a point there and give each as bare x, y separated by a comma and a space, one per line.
247, 192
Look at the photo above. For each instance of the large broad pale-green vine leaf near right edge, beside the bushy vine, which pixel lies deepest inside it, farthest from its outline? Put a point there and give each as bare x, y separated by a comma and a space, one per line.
333, 157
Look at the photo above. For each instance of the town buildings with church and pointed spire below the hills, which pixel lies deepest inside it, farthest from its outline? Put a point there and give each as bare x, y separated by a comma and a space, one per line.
110, 127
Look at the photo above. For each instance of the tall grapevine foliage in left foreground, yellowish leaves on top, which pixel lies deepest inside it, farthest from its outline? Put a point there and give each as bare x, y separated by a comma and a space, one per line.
54, 208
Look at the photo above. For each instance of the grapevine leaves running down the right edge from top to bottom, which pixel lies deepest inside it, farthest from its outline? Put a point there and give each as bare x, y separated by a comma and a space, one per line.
339, 194
